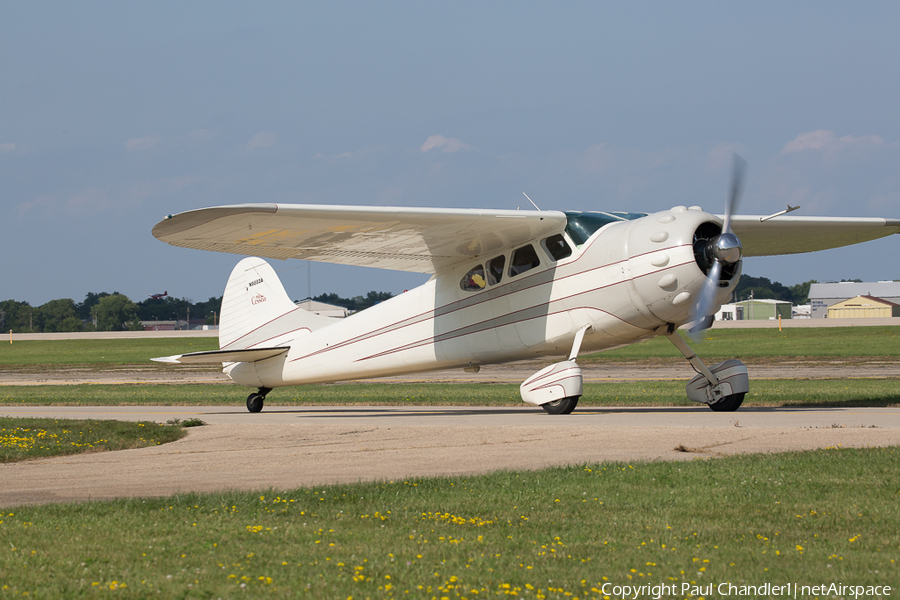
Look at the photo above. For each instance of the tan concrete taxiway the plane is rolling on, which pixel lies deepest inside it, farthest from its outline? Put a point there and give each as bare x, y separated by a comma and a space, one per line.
288, 447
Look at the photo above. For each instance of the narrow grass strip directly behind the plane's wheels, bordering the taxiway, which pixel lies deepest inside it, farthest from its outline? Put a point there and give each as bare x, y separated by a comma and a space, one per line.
763, 392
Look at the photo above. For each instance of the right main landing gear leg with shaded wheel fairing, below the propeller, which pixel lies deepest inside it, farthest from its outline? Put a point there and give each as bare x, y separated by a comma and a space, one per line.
722, 387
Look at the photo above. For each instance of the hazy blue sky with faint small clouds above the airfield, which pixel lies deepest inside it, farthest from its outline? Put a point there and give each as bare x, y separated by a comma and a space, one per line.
114, 114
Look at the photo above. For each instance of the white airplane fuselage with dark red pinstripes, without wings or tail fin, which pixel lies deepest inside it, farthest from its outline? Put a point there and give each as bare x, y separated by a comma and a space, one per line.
621, 284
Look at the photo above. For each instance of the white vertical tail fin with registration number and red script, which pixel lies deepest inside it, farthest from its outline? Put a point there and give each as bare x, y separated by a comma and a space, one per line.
257, 311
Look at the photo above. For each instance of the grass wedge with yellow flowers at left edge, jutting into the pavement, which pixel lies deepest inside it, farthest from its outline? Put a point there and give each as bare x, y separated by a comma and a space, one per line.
22, 439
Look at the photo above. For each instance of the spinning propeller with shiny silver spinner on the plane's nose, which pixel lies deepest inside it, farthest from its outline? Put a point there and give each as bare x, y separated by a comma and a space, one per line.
721, 250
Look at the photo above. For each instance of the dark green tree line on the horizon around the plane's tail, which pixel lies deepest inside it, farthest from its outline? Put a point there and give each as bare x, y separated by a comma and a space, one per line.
116, 312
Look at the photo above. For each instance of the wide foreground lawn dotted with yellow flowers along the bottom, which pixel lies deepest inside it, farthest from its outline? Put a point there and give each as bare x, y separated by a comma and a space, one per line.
807, 518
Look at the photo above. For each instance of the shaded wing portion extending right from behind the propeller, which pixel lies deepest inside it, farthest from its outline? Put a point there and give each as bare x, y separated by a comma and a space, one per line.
793, 235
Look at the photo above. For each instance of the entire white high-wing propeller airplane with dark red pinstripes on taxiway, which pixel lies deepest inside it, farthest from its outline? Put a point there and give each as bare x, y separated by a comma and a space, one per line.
506, 285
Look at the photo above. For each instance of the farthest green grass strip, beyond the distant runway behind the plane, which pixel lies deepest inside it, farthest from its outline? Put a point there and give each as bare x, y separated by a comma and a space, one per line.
715, 345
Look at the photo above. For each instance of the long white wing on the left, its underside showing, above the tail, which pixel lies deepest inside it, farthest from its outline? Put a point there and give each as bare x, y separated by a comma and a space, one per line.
422, 240
